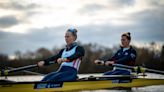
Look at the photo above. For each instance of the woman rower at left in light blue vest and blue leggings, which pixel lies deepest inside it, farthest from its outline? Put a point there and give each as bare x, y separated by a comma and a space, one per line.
69, 58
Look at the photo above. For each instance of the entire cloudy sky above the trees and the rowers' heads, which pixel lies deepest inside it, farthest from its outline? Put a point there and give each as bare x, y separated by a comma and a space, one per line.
26, 25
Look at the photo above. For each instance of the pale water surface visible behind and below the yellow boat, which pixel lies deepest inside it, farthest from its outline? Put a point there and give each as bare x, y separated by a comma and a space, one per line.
159, 88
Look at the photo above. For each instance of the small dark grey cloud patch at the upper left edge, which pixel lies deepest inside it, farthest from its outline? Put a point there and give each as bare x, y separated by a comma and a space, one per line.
8, 21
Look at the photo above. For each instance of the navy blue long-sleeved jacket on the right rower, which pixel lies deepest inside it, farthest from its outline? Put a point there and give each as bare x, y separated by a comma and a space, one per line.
127, 57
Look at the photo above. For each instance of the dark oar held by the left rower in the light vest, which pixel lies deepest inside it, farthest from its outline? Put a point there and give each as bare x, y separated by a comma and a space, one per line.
6, 72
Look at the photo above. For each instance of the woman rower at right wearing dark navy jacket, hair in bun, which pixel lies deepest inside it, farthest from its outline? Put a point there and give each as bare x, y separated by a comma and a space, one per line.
126, 55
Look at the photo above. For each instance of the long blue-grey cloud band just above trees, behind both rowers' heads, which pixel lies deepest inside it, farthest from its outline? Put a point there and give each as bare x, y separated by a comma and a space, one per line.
105, 34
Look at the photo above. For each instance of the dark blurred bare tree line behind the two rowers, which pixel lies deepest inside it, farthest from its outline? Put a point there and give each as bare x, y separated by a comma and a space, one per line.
146, 56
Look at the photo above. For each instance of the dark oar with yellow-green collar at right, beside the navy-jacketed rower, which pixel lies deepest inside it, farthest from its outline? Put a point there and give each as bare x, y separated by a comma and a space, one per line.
139, 69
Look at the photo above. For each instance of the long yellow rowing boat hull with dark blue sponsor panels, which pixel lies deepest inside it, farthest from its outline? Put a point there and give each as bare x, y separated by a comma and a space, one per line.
88, 83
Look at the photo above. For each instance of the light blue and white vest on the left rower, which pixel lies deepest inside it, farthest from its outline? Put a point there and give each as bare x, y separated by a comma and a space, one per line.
75, 63
